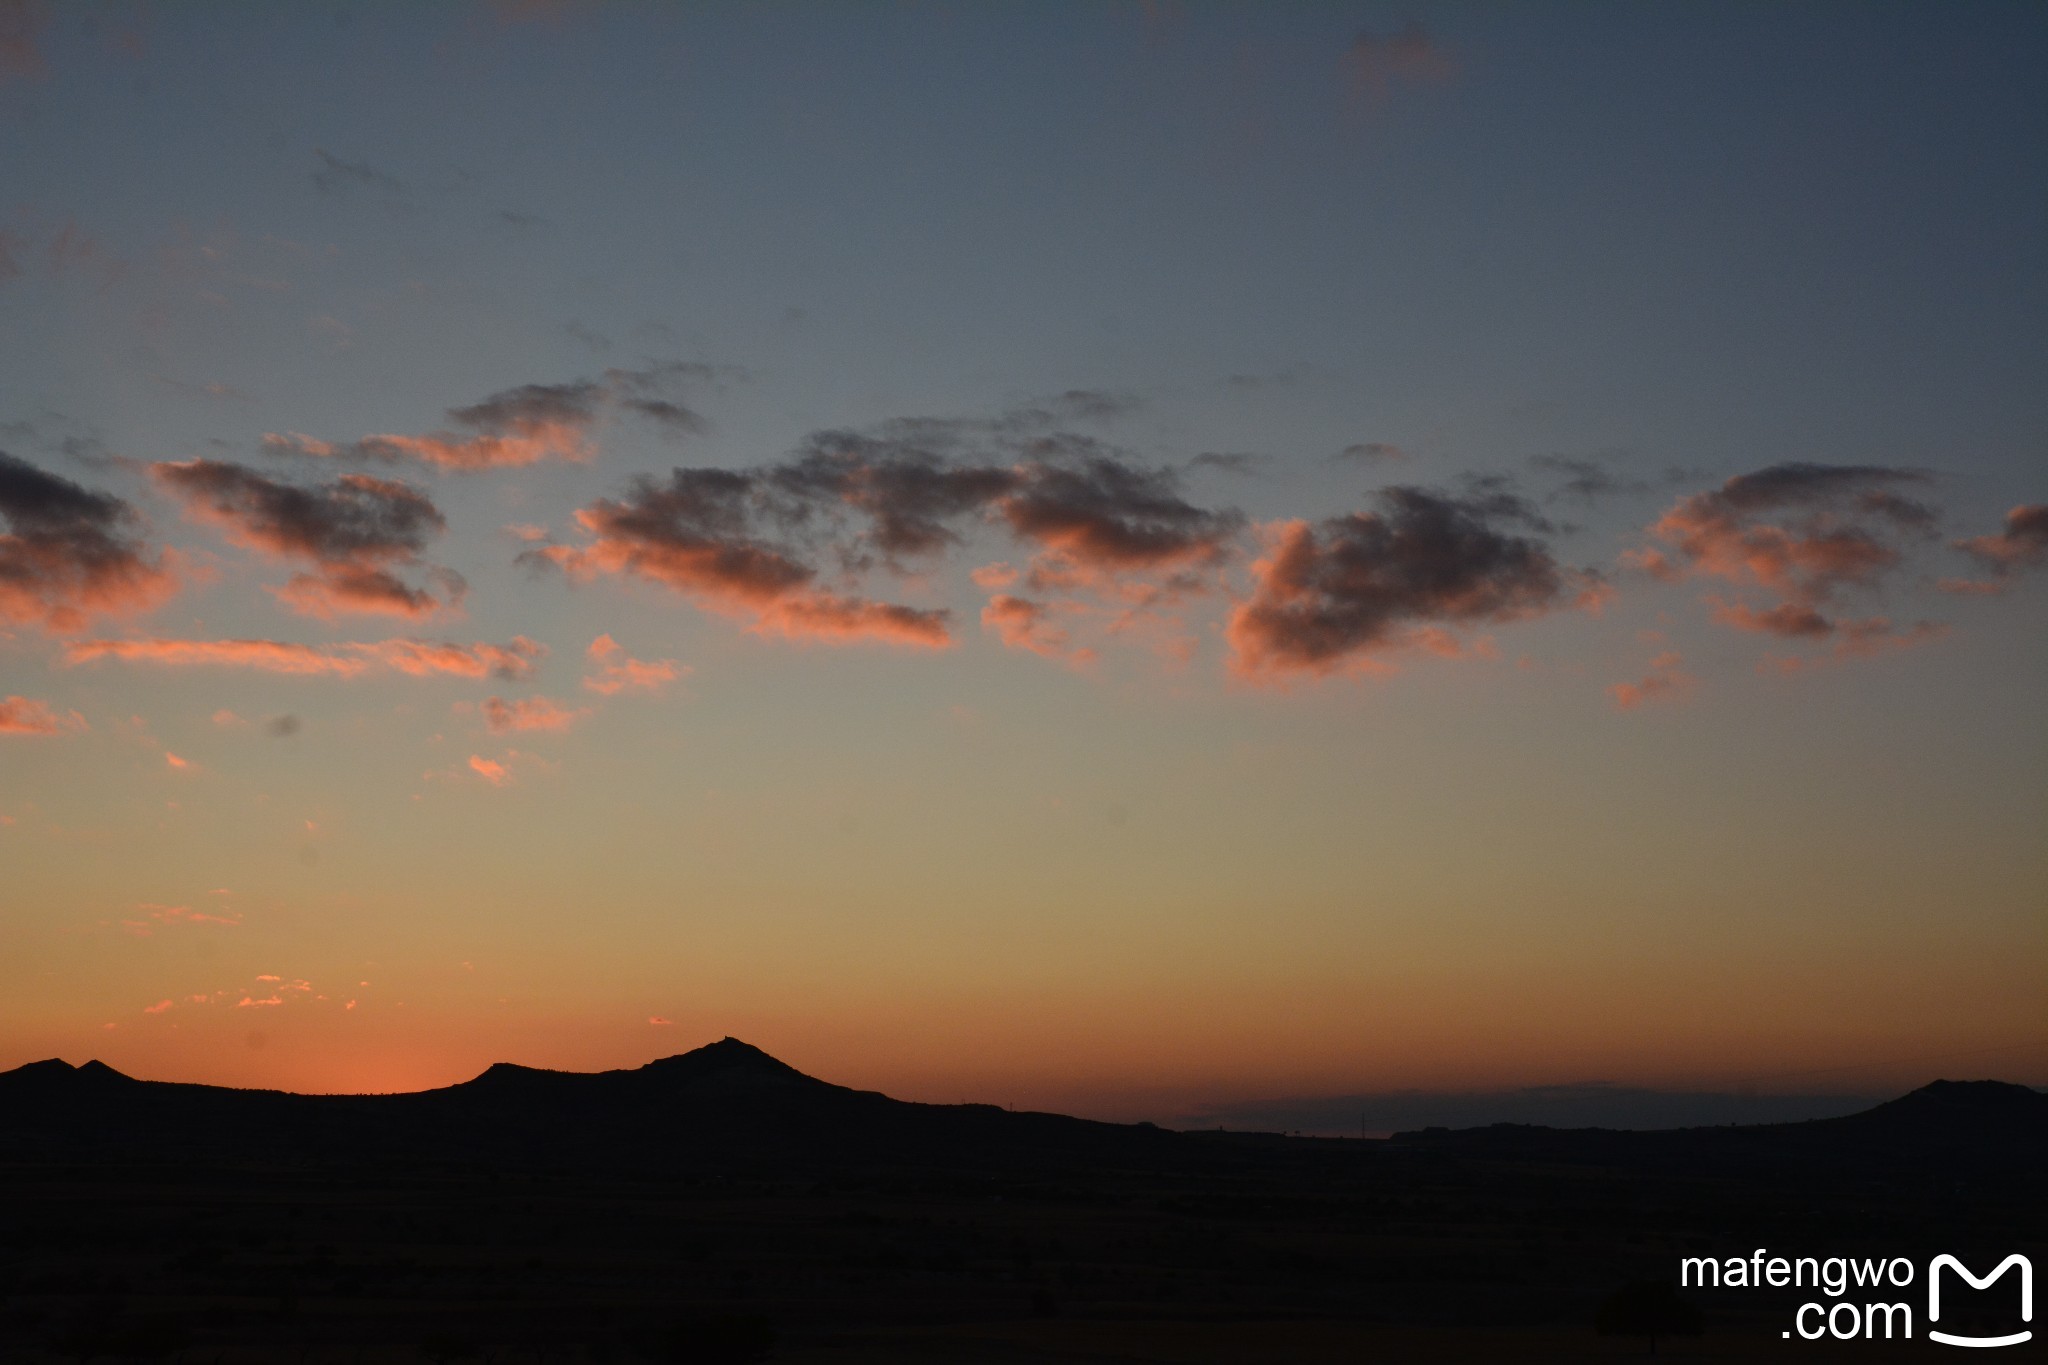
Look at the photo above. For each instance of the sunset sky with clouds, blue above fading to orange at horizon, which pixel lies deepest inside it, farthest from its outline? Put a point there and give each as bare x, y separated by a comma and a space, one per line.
1138, 560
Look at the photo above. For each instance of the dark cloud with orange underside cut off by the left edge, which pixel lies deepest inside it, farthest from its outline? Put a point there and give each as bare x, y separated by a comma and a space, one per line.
71, 554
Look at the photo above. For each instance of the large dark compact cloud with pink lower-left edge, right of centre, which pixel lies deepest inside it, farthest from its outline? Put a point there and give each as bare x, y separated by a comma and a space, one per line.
1336, 597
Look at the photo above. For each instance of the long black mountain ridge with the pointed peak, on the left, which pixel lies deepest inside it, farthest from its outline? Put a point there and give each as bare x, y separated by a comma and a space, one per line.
726, 1106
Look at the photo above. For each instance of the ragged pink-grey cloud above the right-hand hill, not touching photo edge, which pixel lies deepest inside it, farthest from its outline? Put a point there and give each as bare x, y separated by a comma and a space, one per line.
1799, 533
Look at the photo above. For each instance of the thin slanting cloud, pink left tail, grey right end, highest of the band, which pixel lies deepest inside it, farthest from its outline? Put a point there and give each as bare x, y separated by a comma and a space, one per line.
525, 425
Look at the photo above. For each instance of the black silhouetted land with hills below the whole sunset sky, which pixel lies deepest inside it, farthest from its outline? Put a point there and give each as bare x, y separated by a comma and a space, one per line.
722, 1206
